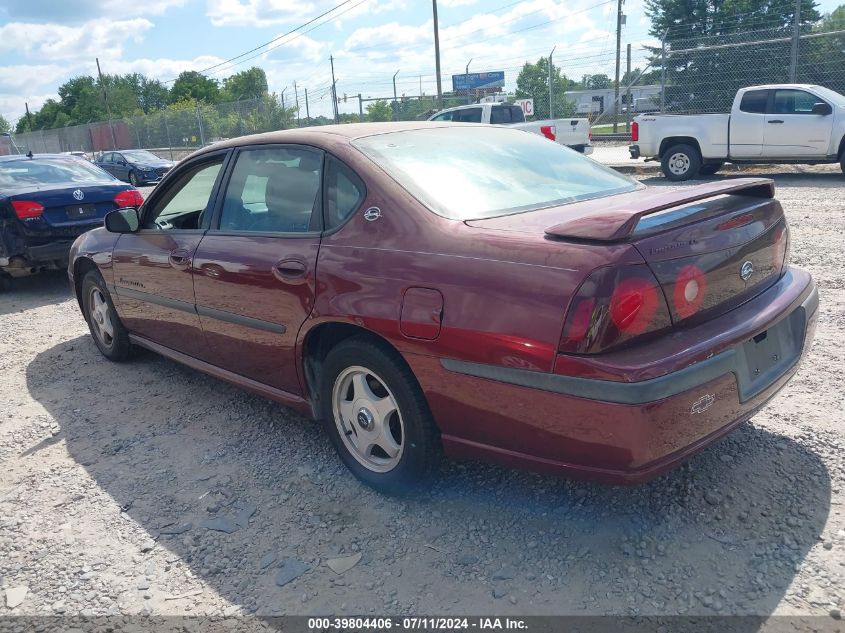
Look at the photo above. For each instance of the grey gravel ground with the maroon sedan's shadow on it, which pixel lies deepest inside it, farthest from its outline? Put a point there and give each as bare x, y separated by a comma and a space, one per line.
149, 488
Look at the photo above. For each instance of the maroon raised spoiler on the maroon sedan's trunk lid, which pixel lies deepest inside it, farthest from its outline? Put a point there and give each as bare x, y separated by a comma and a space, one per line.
615, 218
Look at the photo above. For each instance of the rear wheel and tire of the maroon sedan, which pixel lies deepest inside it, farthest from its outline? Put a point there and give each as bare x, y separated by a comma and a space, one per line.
377, 416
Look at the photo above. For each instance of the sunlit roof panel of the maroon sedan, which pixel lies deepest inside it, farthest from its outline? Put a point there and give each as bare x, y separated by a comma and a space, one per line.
330, 134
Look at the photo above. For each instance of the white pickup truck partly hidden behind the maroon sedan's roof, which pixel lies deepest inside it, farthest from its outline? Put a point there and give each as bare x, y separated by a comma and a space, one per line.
574, 133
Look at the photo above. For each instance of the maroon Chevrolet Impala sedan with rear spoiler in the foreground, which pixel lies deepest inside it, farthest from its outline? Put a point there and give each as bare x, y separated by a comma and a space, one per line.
428, 286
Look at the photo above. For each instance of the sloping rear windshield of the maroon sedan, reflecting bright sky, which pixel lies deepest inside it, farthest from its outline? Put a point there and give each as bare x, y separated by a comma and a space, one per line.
466, 173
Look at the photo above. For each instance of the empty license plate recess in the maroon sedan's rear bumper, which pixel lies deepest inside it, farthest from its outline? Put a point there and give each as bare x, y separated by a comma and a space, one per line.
768, 355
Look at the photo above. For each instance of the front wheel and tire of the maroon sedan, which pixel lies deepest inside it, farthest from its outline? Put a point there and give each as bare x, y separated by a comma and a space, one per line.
108, 332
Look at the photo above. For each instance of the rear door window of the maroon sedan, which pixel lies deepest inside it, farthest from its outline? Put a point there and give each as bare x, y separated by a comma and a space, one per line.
275, 190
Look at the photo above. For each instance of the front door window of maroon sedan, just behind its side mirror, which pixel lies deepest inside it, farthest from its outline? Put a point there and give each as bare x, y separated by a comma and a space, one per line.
182, 204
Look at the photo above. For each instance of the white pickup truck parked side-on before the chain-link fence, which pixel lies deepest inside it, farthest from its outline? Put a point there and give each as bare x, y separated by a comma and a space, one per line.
781, 123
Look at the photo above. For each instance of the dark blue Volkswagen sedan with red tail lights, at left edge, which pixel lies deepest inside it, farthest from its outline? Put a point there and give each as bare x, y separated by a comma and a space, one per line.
46, 201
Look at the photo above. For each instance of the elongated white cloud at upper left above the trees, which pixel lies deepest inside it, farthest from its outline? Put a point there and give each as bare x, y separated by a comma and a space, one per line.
56, 42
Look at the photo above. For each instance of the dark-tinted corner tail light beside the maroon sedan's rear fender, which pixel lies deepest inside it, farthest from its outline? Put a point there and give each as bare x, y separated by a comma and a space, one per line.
613, 306
